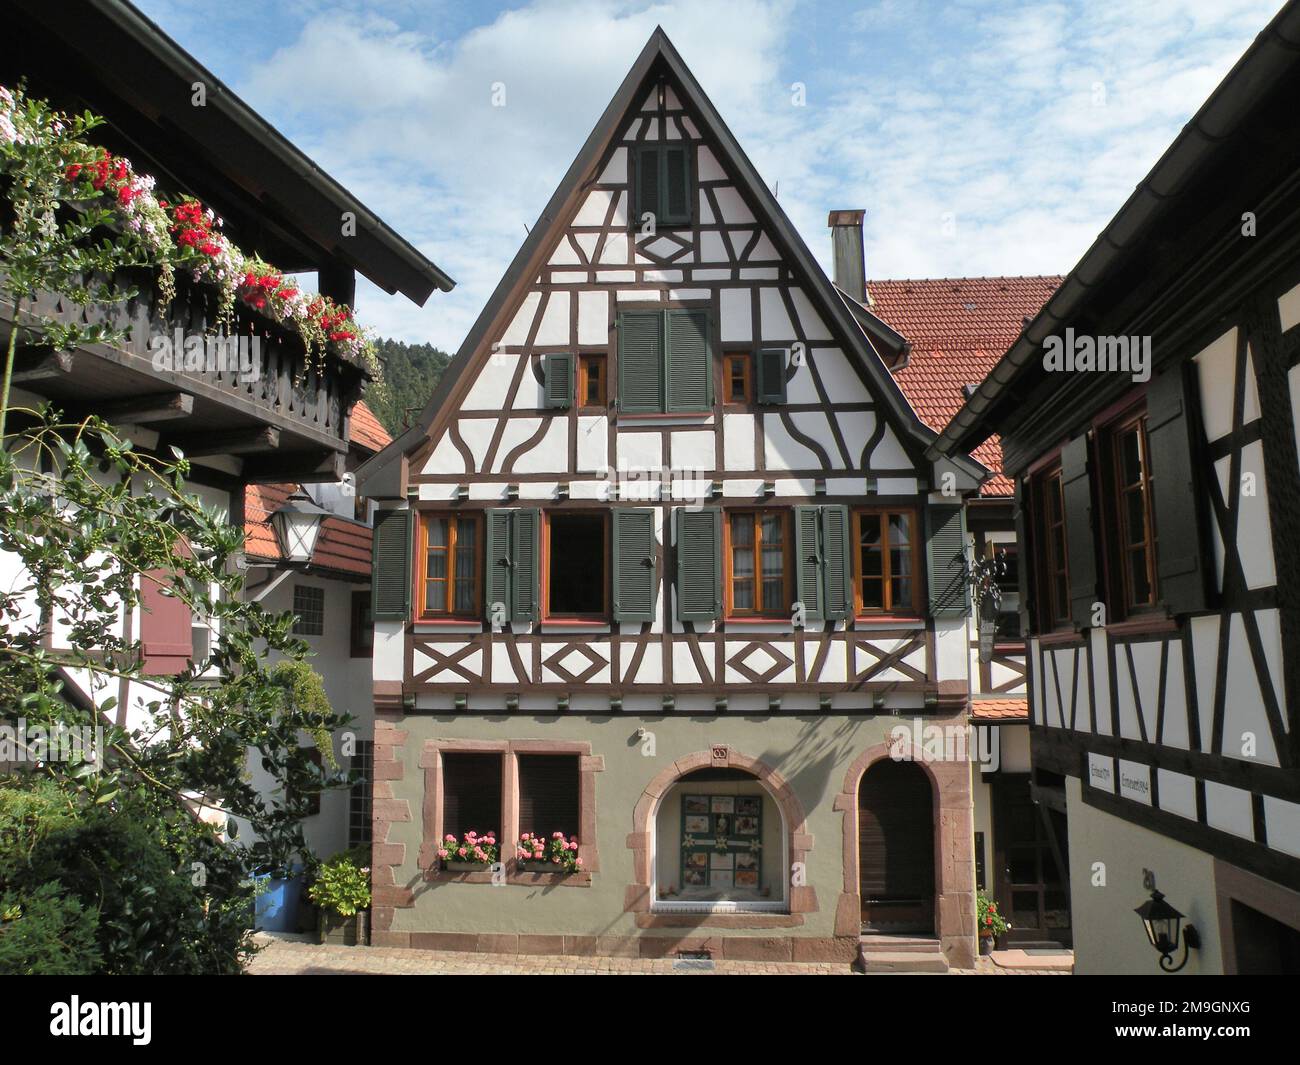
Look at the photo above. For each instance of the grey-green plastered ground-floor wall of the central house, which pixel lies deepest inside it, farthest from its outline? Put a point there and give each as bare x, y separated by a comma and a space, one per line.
812, 754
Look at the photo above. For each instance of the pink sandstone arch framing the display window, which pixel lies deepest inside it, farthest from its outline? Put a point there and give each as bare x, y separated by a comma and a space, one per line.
638, 898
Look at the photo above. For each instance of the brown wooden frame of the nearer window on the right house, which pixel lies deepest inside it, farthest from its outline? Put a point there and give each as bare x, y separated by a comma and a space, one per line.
1116, 542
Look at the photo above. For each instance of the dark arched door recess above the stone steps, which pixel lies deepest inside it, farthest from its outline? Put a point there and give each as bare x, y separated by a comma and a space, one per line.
896, 848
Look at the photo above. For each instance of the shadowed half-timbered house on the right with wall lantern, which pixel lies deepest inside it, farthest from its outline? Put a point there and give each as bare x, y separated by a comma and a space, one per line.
1156, 497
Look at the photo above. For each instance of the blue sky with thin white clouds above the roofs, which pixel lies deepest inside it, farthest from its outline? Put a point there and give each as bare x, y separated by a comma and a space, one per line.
981, 136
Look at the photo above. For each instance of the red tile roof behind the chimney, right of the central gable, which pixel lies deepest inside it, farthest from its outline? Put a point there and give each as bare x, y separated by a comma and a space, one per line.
959, 328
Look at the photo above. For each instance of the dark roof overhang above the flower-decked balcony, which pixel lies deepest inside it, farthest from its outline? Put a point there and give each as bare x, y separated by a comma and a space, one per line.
110, 58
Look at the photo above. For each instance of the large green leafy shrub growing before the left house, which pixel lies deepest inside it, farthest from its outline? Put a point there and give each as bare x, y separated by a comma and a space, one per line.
89, 522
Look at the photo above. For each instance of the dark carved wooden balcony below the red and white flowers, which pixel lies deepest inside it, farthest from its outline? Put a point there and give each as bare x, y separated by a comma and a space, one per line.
250, 395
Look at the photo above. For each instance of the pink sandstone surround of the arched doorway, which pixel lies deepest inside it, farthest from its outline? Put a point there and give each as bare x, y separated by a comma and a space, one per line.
955, 848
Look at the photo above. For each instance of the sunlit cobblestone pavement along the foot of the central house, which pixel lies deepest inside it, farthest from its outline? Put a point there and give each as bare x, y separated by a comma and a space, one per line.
284, 956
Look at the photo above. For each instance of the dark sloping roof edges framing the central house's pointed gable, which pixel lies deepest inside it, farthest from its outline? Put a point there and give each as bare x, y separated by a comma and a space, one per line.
384, 475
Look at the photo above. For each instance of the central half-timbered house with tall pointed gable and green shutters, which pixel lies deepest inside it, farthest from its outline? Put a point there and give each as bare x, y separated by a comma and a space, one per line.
664, 568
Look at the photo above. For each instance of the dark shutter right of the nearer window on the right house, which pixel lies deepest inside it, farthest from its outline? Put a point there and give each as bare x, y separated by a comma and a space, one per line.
1184, 565
